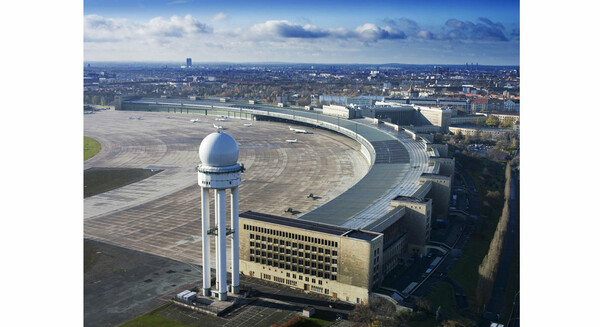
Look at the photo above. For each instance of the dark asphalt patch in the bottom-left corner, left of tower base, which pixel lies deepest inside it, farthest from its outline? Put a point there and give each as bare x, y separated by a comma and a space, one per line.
123, 284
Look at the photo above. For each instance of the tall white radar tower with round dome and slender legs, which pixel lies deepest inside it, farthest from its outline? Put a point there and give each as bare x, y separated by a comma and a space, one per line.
219, 171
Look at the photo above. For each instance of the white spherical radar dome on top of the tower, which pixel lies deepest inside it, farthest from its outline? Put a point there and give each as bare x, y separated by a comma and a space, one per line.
219, 149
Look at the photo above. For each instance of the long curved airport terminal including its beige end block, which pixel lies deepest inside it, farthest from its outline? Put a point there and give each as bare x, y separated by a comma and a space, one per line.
345, 247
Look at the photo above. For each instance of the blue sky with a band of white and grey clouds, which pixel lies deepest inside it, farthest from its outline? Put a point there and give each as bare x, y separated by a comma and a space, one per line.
370, 32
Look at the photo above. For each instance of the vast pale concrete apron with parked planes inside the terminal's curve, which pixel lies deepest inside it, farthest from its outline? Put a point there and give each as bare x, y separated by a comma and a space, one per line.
161, 215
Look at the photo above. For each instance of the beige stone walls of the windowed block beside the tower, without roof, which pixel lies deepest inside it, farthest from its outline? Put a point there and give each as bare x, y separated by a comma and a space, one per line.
354, 265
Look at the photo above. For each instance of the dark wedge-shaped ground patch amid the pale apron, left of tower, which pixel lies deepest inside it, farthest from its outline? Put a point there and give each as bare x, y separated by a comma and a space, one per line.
100, 180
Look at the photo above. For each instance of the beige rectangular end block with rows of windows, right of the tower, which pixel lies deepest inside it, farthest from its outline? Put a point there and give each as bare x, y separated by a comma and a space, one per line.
334, 261
